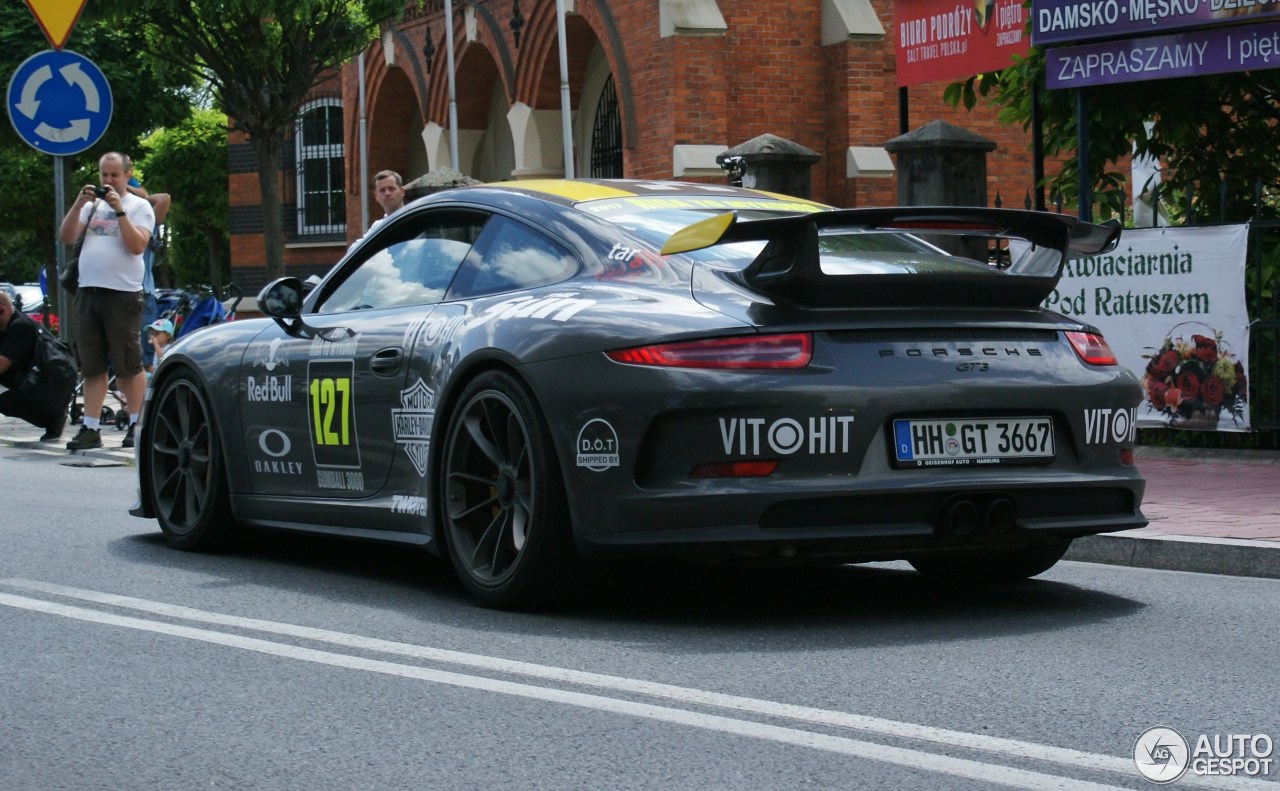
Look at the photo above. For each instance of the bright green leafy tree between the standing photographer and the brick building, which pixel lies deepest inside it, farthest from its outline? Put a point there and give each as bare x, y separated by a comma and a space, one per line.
189, 161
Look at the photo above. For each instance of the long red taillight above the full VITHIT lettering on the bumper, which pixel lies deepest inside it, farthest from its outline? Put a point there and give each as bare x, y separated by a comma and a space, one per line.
757, 353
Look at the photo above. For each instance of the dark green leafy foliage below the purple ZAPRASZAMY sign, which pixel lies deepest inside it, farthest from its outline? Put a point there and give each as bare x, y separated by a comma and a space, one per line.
1215, 136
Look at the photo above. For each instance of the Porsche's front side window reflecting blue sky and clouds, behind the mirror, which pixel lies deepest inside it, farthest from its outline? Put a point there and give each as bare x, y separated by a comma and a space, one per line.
412, 264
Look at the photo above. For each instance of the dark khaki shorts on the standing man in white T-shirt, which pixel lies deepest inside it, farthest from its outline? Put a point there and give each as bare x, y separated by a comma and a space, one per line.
107, 330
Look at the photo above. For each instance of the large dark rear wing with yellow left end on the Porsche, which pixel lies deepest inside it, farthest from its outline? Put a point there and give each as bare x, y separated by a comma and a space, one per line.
789, 267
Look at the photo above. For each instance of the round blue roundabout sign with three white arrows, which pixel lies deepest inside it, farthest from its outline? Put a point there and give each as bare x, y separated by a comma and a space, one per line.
60, 103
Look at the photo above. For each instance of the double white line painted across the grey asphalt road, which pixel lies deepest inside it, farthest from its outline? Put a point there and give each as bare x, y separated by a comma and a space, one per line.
1004, 748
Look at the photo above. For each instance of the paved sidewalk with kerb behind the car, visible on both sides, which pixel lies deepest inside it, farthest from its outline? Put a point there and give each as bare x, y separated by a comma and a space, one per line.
1210, 511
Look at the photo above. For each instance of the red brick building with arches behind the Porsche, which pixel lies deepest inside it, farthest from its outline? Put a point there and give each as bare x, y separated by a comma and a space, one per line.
657, 89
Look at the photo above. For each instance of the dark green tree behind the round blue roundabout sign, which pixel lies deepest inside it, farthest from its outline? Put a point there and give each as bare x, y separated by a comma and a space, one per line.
144, 98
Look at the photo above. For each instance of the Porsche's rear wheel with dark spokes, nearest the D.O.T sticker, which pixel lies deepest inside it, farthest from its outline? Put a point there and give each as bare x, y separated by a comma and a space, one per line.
504, 506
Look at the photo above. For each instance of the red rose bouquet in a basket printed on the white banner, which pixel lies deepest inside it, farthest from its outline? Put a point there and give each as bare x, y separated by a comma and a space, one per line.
1195, 380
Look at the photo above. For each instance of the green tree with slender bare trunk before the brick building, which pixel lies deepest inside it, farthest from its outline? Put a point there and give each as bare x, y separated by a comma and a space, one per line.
263, 60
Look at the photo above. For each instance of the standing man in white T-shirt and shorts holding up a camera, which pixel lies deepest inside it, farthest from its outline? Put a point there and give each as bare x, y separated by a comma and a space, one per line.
108, 309
